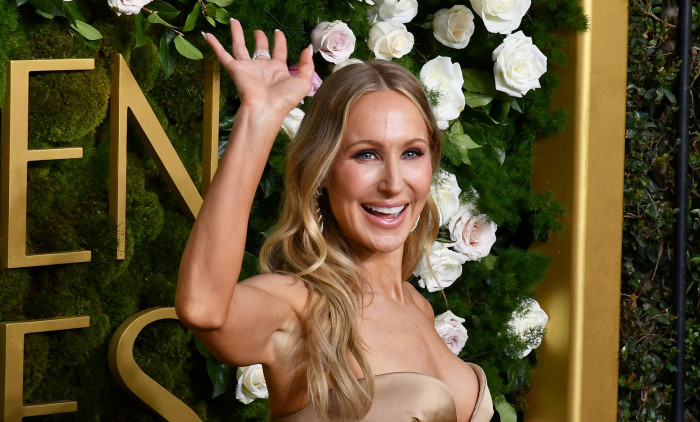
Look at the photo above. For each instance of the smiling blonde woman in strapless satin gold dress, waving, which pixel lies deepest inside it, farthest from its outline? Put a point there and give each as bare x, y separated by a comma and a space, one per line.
340, 334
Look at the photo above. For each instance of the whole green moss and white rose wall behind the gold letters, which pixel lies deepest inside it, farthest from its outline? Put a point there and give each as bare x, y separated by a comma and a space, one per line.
488, 73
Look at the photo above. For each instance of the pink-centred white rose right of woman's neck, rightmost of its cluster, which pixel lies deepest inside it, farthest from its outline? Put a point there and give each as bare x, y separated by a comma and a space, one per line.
473, 234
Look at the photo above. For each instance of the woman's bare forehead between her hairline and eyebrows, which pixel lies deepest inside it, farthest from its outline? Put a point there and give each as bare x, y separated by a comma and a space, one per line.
385, 115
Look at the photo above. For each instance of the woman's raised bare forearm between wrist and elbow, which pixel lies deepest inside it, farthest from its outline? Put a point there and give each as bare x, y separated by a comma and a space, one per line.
211, 262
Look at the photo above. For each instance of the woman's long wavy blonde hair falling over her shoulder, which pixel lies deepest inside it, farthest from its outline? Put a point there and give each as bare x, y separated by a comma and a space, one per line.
324, 261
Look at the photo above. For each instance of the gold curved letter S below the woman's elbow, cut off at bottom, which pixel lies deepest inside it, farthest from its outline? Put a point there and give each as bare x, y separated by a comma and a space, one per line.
133, 379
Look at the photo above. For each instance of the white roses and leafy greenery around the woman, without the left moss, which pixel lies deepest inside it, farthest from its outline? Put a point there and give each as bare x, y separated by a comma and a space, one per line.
484, 64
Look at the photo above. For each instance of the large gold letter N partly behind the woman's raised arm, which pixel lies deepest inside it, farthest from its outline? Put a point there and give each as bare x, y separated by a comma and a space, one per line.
128, 102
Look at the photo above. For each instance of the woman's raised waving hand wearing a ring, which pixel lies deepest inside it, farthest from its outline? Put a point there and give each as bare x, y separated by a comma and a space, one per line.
264, 84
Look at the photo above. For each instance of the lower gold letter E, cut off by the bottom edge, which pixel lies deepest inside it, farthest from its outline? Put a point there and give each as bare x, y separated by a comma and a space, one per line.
12, 366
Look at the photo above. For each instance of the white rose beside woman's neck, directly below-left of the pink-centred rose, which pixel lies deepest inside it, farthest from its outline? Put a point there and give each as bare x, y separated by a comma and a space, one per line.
446, 263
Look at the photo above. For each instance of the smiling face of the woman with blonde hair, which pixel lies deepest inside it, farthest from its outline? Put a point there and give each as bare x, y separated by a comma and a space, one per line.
381, 177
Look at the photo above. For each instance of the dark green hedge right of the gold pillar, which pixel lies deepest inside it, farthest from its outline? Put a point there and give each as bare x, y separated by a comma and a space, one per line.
647, 339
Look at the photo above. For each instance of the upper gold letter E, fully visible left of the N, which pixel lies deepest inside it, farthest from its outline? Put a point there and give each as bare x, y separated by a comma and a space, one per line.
15, 156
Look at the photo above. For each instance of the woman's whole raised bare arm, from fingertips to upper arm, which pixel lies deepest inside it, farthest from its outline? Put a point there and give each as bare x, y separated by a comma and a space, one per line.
212, 259
